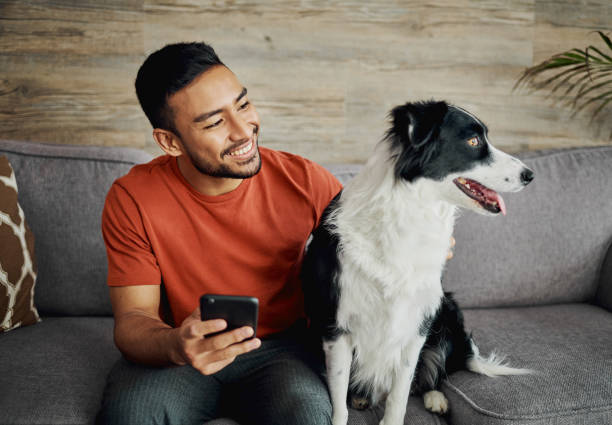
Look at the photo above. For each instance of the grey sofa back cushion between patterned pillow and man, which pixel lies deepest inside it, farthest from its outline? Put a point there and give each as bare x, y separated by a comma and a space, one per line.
62, 192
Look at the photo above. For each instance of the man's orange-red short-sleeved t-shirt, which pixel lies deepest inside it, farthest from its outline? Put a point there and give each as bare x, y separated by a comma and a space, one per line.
250, 241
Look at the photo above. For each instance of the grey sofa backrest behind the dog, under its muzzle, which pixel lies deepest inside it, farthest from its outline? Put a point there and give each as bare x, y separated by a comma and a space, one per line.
551, 245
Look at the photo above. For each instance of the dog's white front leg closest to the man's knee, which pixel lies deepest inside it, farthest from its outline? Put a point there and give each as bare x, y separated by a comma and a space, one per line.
338, 358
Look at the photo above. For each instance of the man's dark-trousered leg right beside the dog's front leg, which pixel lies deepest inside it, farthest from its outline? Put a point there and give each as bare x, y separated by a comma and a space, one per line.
285, 388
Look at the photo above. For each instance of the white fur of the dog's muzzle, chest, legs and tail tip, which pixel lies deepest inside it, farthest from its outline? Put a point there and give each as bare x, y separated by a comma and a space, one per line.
394, 238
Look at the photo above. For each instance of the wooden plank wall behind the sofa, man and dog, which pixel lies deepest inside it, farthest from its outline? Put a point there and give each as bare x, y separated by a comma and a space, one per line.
323, 74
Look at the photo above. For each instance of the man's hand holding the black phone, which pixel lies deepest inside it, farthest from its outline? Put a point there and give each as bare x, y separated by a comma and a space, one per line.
211, 354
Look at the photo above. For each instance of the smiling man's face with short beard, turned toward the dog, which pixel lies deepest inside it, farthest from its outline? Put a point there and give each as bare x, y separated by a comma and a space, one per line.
217, 125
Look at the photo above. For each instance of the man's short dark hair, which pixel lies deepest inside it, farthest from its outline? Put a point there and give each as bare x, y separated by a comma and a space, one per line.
167, 71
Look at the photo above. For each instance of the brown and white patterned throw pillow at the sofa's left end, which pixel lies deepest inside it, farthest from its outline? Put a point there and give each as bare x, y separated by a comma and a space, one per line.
17, 262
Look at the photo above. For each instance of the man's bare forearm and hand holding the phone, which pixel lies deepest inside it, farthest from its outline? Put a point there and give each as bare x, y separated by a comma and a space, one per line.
143, 337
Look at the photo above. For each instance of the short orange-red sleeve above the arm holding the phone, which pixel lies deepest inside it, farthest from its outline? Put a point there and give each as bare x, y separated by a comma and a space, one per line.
131, 260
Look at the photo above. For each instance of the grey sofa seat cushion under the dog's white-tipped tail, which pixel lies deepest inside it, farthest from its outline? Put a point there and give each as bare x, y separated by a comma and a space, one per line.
568, 346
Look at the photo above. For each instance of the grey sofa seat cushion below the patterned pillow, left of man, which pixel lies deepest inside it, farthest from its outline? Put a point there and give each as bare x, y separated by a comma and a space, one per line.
55, 372
